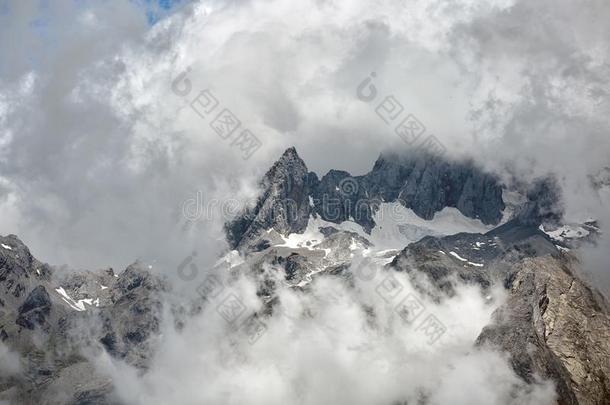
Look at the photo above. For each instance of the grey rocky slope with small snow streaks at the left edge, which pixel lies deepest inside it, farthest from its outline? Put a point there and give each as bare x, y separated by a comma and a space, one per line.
46, 330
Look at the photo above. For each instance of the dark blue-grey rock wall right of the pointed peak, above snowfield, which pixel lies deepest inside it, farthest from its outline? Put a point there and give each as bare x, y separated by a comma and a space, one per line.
420, 182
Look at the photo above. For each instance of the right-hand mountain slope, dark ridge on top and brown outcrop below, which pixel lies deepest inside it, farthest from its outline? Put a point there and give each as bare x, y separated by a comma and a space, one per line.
553, 325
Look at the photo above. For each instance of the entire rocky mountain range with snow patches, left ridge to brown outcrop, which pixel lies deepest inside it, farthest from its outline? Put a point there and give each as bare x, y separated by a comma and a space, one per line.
446, 232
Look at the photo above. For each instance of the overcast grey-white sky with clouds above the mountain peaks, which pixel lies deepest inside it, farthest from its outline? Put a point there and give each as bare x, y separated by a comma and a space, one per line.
98, 153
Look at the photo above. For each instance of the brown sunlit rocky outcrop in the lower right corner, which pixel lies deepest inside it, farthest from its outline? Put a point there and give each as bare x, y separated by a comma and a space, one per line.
555, 327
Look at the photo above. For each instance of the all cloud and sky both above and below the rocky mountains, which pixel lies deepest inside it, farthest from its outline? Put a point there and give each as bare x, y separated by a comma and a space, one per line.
100, 151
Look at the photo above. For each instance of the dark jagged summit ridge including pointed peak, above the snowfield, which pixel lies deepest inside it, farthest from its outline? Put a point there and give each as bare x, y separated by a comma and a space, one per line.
420, 182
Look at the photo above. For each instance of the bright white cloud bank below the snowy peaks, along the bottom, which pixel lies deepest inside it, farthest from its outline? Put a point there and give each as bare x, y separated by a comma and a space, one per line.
331, 345
